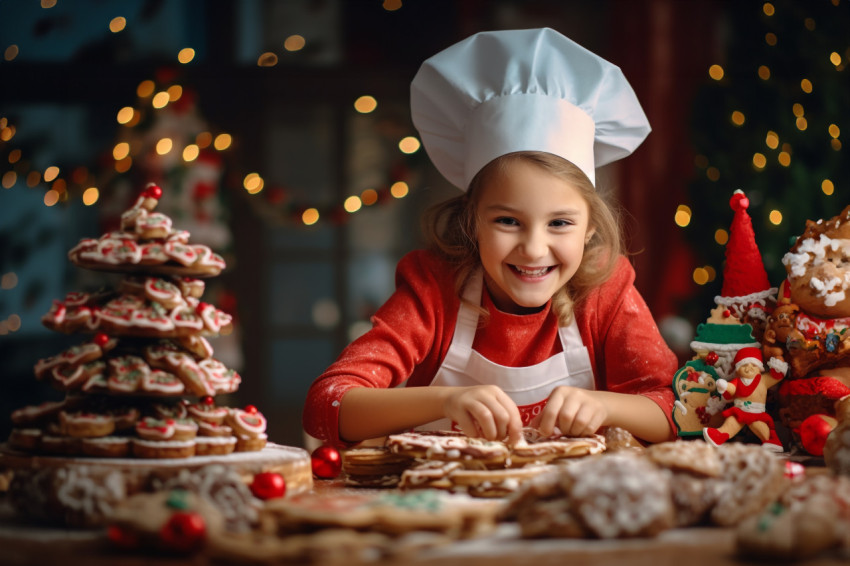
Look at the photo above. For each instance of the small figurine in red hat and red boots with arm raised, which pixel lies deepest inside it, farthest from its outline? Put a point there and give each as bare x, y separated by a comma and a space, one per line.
748, 393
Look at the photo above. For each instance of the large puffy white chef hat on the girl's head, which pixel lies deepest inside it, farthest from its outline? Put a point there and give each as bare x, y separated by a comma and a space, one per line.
523, 90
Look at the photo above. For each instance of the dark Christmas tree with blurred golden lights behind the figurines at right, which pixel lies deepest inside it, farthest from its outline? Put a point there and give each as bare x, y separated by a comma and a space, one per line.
770, 123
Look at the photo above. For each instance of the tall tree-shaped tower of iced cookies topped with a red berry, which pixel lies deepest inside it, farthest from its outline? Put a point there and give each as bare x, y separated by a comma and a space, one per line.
144, 383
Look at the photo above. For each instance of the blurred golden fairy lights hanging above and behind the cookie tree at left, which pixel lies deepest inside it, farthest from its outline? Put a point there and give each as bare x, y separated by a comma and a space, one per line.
67, 183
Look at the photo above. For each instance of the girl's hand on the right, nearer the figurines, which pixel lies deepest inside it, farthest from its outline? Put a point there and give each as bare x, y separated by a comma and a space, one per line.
576, 412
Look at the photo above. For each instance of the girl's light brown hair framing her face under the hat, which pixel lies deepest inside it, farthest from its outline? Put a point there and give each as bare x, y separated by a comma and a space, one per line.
451, 229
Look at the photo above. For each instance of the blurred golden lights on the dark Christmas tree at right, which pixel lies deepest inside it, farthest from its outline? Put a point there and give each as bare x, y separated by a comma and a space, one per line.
774, 149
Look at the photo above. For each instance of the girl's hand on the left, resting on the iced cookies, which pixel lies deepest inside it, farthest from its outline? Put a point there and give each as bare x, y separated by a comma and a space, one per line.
484, 411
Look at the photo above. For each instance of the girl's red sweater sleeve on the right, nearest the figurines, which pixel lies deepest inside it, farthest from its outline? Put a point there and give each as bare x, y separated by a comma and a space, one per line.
627, 350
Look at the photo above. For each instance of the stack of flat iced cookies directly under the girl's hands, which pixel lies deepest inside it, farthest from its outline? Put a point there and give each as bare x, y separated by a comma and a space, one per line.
454, 462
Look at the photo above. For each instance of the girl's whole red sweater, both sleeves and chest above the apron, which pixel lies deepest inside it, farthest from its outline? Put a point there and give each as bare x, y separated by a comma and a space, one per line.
412, 331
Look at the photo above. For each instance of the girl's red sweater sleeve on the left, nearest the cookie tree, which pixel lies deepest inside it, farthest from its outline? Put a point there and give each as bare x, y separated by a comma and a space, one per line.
408, 337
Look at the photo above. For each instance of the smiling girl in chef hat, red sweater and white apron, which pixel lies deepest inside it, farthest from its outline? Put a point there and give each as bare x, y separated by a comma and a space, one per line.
523, 311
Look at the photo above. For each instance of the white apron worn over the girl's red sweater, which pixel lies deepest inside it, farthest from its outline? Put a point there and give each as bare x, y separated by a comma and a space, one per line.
529, 386
